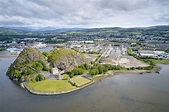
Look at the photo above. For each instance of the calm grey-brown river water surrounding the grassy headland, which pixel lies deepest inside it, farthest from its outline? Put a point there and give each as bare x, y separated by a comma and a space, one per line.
120, 93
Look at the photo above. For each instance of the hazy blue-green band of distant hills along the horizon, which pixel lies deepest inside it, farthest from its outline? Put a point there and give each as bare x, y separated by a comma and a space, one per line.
155, 30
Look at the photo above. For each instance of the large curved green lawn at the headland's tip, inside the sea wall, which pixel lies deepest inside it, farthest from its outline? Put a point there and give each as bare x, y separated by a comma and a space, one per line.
51, 85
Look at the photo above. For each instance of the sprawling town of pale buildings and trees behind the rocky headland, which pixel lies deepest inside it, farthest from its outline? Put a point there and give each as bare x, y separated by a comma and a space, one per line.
143, 41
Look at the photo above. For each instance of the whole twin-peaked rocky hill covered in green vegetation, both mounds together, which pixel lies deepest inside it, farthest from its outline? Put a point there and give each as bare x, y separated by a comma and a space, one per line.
31, 63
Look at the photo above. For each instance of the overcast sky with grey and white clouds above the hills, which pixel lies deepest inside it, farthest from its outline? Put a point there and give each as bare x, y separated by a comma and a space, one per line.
84, 13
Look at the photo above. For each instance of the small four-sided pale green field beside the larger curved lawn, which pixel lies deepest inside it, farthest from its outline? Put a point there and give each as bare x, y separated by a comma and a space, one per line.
79, 80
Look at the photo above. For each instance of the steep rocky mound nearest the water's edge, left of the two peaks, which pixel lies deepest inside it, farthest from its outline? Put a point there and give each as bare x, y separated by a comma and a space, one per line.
25, 65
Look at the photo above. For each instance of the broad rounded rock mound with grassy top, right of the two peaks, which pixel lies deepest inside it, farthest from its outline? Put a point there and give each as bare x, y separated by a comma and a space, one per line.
66, 59
